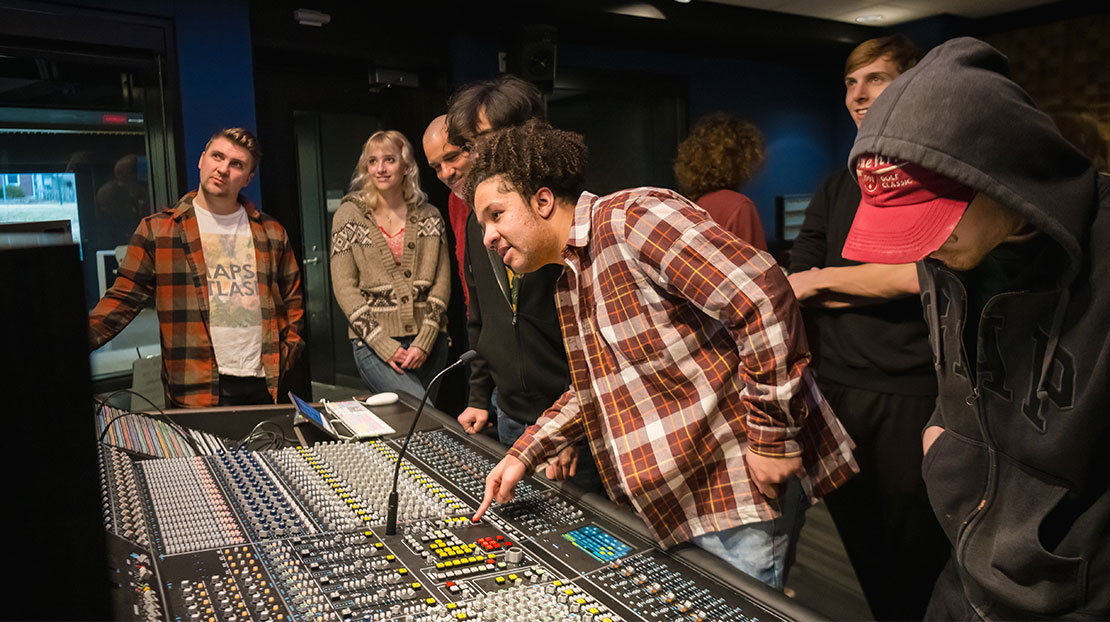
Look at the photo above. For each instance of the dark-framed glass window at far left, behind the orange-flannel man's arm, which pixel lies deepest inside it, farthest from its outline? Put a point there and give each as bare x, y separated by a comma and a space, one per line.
85, 139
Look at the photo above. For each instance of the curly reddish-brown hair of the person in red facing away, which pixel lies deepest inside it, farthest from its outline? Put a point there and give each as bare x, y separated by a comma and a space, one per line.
722, 153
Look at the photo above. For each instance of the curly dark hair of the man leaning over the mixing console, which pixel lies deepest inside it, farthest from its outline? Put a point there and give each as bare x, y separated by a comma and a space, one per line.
531, 157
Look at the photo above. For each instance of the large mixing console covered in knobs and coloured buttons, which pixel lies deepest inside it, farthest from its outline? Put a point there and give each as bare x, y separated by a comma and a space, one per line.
298, 535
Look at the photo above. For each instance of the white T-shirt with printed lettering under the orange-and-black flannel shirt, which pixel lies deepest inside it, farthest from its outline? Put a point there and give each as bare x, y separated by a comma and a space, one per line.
235, 313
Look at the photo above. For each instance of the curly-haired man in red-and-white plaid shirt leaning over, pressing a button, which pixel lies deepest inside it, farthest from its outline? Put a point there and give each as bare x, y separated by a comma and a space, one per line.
688, 355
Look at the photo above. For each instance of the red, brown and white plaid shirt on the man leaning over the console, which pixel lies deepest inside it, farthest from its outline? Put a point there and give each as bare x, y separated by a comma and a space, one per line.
687, 352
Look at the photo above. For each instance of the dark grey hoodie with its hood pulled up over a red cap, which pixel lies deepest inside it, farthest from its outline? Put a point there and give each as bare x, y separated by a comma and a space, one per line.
1020, 480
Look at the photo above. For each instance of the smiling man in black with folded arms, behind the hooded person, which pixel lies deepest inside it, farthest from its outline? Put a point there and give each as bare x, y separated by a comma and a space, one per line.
874, 366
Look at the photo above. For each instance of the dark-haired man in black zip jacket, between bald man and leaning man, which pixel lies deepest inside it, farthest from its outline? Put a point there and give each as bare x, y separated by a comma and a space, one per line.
512, 323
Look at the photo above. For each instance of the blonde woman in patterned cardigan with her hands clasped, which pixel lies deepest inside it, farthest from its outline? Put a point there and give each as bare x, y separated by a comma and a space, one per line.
390, 269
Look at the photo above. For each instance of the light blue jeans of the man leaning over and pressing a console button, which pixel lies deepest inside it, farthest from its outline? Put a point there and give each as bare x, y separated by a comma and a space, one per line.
763, 550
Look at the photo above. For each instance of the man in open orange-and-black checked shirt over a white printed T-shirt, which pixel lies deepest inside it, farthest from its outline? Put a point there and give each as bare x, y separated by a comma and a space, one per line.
231, 326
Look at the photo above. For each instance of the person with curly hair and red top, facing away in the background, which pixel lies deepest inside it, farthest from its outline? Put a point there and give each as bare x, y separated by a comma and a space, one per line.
721, 155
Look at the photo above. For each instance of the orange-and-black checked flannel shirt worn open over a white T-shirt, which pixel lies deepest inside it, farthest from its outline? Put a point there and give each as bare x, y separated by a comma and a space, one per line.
166, 260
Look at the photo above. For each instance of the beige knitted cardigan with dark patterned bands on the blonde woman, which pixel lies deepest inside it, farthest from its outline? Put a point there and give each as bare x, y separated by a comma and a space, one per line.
381, 299
